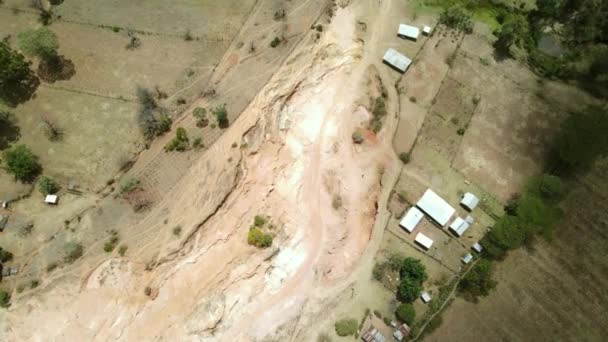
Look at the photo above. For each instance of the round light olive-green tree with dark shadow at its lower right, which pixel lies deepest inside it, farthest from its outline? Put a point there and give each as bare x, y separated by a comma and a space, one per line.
40, 42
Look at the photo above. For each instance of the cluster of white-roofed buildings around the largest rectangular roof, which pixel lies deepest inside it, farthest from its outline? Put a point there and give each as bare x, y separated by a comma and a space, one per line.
440, 212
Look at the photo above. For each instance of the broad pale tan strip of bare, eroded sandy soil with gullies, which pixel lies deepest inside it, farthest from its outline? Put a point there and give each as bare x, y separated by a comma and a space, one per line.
211, 285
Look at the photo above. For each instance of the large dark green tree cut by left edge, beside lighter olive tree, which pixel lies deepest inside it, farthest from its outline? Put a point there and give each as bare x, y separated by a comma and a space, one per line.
17, 81
